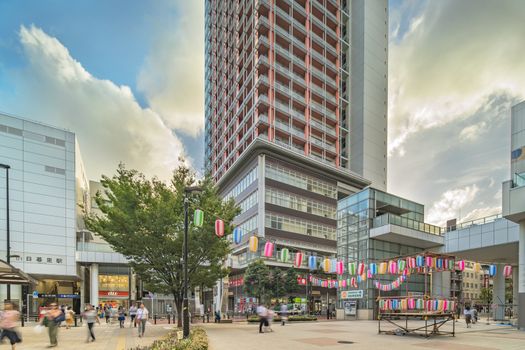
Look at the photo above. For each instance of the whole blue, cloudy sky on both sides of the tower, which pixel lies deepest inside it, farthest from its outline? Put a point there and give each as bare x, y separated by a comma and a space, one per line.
128, 78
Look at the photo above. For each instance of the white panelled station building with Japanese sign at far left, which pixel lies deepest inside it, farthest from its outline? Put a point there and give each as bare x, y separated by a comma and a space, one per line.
47, 185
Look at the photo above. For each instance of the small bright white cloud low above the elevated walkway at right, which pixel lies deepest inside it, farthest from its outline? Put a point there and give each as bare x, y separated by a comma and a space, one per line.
450, 203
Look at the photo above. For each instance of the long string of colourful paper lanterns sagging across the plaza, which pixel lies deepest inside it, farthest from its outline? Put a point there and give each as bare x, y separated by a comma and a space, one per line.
403, 266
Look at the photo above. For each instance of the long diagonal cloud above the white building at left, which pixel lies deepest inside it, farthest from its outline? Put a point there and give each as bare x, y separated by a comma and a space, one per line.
109, 123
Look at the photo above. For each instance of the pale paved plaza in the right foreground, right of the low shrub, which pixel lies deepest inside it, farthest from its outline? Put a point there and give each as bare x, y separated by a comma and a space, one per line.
362, 334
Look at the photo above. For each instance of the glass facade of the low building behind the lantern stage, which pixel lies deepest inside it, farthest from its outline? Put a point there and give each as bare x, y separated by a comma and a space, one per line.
359, 213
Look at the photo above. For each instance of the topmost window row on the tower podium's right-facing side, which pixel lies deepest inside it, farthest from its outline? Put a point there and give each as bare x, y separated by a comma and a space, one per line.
294, 178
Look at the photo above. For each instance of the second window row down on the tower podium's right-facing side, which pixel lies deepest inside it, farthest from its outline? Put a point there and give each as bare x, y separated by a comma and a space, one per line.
293, 201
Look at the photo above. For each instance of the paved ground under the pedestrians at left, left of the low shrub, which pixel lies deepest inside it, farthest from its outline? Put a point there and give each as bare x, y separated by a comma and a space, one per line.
109, 337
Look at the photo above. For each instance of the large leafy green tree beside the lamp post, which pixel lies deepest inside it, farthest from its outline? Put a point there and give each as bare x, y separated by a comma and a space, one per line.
144, 221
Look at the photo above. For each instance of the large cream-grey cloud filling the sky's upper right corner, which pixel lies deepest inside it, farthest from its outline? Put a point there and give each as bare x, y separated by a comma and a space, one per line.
450, 62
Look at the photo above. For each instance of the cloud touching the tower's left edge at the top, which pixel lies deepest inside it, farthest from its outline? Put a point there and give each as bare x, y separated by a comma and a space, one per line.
172, 78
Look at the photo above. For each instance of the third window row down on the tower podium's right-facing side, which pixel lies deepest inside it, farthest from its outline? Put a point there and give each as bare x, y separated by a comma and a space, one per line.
296, 225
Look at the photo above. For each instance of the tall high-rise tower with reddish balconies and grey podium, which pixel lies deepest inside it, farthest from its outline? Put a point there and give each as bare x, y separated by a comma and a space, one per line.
279, 126
